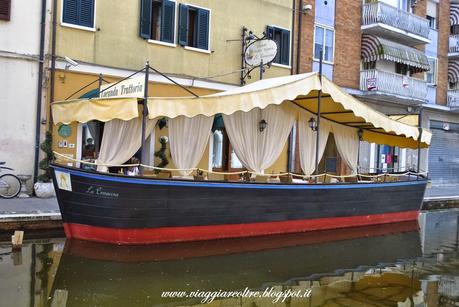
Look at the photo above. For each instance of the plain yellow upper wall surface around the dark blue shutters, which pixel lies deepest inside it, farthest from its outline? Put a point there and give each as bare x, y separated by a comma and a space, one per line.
116, 41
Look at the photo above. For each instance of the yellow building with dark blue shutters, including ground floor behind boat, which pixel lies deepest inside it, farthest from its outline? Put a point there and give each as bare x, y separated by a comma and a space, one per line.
196, 42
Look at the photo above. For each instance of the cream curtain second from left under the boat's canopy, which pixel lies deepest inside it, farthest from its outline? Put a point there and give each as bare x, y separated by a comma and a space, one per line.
188, 138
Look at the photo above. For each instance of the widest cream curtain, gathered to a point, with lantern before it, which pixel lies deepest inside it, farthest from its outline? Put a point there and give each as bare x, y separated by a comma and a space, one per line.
259, 150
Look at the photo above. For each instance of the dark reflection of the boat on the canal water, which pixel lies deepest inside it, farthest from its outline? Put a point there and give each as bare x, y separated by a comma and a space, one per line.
97, 274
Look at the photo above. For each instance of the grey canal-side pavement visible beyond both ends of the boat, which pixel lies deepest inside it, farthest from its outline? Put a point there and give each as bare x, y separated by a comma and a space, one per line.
34, 213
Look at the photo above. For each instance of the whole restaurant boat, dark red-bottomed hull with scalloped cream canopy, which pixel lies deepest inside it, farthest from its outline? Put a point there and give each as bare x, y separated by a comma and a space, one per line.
119, 209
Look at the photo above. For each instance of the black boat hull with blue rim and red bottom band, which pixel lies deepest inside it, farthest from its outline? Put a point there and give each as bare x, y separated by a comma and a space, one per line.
127, 210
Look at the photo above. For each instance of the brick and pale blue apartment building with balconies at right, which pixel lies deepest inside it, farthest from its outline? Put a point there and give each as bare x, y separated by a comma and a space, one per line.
393, 55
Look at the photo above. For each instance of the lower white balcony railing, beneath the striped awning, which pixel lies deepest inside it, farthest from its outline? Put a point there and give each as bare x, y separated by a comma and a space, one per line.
382, 82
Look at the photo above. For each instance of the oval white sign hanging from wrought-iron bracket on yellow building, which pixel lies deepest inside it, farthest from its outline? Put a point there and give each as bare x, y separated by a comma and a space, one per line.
260, 50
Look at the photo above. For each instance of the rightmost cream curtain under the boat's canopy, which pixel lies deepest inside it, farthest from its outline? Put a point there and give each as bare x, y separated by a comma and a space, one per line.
347, 143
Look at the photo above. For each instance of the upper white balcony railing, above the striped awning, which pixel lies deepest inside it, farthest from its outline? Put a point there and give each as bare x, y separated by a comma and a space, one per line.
379, 12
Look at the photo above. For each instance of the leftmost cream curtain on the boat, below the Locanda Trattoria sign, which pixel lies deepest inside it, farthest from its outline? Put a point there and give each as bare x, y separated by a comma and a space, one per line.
121, 140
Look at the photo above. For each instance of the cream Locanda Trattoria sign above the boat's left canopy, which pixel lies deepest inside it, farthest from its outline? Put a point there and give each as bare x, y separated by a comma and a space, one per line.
132, 87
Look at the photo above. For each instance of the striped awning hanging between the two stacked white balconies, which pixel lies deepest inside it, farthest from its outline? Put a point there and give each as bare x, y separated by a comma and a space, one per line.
375, 48
